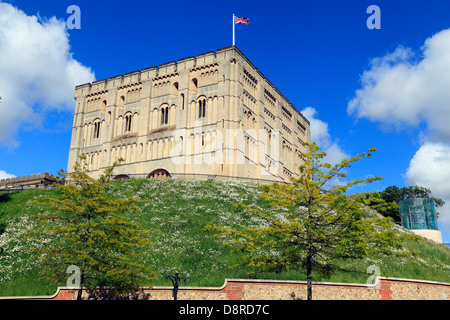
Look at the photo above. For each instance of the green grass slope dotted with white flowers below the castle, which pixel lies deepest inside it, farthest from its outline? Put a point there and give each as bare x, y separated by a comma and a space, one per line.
175, 215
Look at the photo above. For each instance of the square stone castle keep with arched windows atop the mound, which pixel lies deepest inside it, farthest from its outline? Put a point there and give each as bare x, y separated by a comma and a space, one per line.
213, 116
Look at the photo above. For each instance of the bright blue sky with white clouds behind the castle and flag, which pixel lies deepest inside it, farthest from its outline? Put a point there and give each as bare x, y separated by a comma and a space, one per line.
363, 88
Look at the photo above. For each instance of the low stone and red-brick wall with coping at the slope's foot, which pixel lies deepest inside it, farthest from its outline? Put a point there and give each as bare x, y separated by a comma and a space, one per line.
240, 289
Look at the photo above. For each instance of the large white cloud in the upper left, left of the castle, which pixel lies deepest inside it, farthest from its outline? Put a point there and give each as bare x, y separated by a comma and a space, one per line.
37, 71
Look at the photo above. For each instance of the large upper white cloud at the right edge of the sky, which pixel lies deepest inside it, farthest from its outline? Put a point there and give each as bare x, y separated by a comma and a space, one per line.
402, 89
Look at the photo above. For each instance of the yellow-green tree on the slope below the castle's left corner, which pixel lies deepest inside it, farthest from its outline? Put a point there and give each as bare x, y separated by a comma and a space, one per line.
87, 227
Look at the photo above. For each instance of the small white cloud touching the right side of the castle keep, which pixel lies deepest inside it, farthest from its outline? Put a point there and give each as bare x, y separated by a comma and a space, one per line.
320, 135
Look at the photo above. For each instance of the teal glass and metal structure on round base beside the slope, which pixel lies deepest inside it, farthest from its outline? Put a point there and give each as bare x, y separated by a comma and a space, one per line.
418, 213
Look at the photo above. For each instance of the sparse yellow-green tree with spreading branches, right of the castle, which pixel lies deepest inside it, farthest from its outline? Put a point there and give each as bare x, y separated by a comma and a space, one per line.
323, 227
